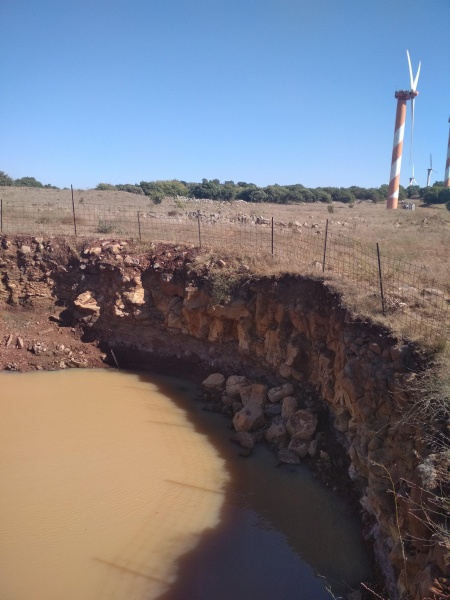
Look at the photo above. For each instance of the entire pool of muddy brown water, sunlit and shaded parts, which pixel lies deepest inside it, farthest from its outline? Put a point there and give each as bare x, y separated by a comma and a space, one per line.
118, 485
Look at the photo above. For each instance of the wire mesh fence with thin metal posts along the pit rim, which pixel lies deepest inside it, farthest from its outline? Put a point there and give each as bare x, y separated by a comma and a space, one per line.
375, 282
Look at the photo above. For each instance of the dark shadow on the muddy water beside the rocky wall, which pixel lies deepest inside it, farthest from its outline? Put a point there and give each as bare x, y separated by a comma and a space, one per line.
281, 533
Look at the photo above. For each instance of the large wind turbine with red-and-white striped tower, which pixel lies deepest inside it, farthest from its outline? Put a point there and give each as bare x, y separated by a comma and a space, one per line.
402, 97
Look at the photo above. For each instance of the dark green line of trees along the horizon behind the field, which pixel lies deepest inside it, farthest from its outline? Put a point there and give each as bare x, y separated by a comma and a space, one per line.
227, 191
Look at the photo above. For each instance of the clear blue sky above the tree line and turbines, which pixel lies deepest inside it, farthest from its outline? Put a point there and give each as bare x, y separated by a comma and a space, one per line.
263, 91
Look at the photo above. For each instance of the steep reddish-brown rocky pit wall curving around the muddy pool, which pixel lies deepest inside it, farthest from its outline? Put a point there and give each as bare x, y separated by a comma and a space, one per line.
166, 307
